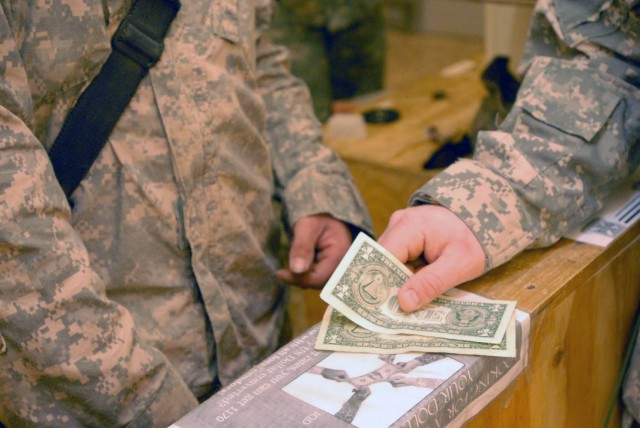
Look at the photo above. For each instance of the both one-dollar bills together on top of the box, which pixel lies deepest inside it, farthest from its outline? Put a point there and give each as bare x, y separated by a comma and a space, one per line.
364, 316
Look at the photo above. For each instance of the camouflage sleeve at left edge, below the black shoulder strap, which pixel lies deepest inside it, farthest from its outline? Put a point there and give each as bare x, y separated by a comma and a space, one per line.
69, 356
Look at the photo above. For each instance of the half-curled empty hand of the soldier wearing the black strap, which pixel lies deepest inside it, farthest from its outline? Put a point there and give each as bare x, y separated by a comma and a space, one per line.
319, 243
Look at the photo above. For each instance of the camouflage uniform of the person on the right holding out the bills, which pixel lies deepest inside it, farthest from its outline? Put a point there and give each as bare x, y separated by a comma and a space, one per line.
573, 133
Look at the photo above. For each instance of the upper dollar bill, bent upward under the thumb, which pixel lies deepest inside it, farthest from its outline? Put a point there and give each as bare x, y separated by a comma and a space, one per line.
365, 285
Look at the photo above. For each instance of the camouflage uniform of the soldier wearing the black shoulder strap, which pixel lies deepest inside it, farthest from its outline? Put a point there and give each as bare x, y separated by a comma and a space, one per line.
161, 283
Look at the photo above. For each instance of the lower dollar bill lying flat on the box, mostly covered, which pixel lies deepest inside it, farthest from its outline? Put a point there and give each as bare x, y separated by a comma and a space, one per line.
338, 333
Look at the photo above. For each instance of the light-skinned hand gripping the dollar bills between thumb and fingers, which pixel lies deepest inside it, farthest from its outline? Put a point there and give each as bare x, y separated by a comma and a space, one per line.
438, 246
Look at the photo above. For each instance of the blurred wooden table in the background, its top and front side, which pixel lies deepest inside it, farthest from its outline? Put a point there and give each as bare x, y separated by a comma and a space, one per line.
387, 164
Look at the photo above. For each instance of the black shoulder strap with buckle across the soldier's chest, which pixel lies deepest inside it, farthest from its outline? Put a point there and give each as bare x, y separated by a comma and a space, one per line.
136, 47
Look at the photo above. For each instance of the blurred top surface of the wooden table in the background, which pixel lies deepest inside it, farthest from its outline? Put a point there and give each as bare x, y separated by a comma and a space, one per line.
447, 101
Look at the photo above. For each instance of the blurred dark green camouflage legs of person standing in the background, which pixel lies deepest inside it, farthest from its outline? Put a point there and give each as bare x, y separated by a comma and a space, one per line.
337, 47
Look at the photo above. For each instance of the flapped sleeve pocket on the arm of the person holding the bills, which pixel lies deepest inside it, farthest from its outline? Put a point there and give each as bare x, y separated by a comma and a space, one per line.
559, 111
